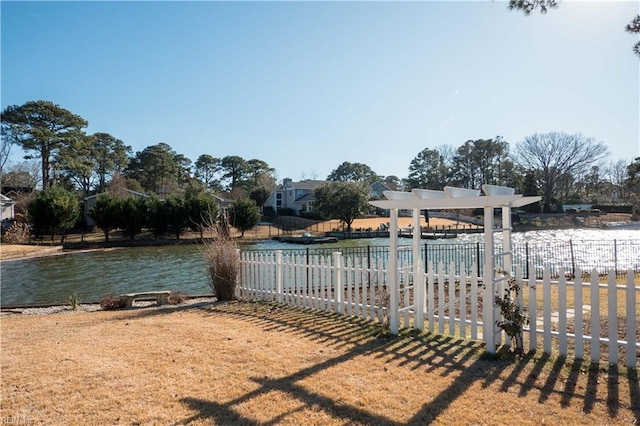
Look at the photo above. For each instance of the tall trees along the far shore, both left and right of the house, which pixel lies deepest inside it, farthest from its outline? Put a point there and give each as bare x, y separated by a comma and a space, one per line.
562, 168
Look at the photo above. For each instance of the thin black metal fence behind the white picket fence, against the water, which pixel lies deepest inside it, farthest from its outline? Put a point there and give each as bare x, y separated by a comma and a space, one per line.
603, 256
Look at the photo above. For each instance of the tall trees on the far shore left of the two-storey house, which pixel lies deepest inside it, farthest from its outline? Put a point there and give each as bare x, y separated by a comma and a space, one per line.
76, 160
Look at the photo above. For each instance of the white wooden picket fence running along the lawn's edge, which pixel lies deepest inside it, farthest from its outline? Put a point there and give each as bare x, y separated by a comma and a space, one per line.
588, 319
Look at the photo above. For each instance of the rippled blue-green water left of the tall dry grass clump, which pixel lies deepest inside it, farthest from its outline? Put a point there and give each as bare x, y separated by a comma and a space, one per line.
93, 275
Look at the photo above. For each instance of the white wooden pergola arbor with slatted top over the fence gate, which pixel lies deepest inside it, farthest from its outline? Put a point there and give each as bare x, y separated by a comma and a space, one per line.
452, 198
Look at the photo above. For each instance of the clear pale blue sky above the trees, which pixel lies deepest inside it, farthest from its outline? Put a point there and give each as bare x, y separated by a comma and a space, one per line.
306, 86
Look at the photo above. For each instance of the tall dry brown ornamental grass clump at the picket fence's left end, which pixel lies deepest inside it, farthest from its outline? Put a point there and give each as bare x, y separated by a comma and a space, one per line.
223, 263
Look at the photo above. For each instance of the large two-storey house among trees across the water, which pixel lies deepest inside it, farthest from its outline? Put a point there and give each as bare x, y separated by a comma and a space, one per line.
297, 196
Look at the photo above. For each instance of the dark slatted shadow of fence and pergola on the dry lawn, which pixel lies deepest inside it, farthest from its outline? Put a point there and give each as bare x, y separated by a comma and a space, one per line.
533, 375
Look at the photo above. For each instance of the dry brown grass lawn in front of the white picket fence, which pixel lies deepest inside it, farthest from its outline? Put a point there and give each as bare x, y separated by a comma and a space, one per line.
249, 363
